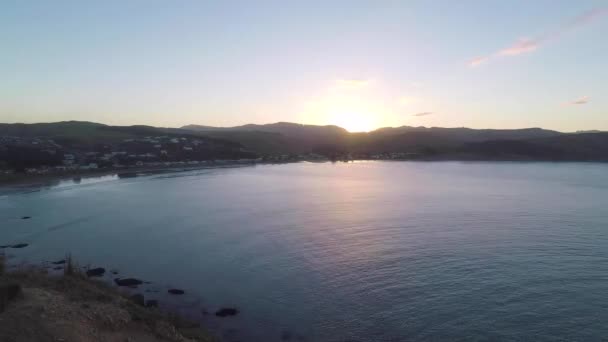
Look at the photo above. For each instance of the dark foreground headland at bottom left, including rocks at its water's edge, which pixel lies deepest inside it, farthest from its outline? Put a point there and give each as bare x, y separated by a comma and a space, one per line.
59, 301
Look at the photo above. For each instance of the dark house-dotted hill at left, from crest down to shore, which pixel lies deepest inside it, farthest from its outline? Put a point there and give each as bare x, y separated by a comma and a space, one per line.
82, 145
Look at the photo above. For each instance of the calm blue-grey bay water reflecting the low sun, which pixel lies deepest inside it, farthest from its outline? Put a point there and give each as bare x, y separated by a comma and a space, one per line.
365, 251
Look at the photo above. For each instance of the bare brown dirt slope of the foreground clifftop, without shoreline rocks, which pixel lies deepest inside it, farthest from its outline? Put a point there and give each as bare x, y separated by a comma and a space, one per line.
72, 308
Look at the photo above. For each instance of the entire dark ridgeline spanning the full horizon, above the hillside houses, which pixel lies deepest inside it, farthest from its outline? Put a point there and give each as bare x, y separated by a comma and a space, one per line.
434, 143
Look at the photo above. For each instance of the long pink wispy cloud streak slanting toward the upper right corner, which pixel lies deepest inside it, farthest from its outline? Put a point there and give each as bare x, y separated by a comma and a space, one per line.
527, 45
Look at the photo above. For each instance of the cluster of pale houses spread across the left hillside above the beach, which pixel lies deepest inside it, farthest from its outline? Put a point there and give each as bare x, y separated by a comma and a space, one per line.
42, 156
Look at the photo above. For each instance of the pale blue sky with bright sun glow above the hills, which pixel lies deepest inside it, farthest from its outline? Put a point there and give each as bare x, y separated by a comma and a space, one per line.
357, 64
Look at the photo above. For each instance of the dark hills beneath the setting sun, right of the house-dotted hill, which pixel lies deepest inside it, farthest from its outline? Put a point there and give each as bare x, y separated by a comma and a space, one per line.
424, 142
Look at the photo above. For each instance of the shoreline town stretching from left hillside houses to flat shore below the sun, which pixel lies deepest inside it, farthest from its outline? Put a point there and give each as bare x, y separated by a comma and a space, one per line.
40, 156
